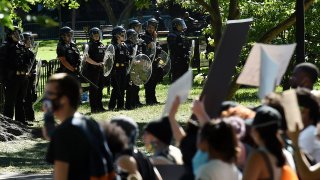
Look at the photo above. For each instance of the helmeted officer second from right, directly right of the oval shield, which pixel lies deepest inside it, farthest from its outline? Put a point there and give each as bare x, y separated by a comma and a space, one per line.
150, 37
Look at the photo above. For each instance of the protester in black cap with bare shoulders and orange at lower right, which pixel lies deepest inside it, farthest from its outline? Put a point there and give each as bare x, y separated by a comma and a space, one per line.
268, 161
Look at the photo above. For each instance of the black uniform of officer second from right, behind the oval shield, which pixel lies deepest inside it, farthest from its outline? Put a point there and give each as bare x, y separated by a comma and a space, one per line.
157, 72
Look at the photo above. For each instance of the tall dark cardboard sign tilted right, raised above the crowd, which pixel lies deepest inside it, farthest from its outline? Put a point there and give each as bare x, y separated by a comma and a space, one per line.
223, 67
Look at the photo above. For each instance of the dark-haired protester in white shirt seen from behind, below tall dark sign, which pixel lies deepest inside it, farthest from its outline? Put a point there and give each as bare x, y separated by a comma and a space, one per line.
222, 152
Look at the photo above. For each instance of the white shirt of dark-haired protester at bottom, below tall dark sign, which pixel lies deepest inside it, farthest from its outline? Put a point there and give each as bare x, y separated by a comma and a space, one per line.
216, 169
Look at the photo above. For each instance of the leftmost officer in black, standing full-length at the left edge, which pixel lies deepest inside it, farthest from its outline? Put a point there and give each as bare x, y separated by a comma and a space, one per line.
16, 60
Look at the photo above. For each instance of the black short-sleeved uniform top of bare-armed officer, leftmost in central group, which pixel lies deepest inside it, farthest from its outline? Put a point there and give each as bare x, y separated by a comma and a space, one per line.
72, 55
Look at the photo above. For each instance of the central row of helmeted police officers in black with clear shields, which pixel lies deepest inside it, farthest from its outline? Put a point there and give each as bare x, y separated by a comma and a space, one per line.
69, 57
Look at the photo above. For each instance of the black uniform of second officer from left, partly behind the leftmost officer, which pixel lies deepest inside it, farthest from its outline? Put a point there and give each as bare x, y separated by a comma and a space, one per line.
31, 95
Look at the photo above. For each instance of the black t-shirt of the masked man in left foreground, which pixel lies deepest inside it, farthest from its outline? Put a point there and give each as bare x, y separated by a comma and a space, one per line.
70, 144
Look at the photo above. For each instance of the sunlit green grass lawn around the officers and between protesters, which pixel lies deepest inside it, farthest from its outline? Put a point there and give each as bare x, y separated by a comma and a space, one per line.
27, 155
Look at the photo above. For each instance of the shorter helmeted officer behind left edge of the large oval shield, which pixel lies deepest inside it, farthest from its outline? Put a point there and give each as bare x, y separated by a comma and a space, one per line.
132, 93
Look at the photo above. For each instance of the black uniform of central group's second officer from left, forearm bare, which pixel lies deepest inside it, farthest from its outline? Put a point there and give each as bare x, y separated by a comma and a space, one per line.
95, 74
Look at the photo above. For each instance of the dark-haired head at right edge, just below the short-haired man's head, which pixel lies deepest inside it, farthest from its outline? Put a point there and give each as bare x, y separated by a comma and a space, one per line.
309, 106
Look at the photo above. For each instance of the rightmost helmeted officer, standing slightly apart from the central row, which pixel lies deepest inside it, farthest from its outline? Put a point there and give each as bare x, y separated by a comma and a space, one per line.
179, 49
